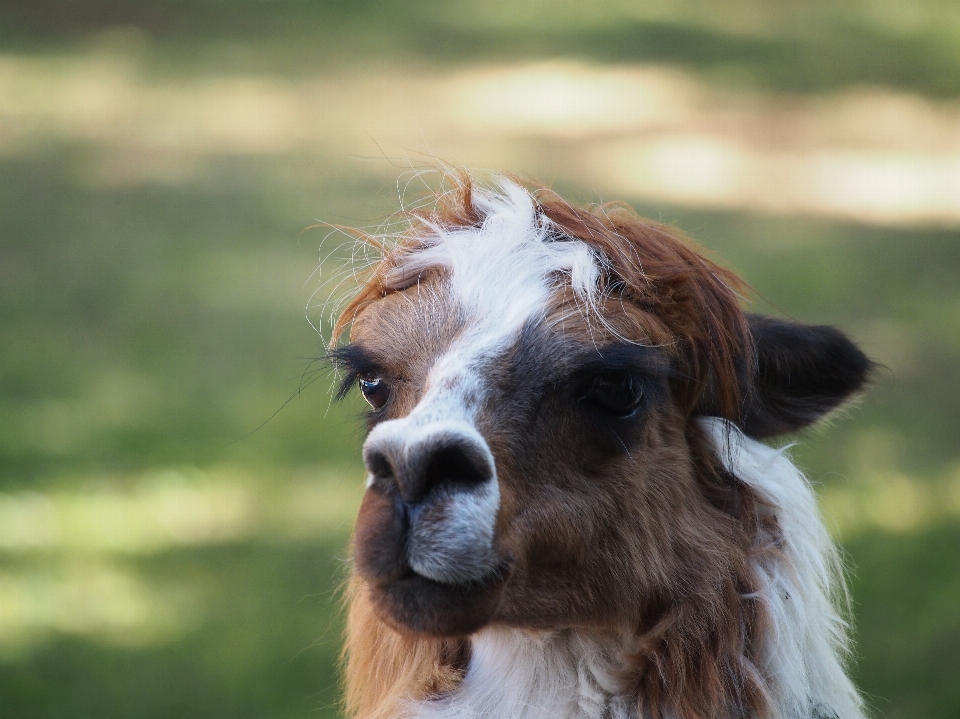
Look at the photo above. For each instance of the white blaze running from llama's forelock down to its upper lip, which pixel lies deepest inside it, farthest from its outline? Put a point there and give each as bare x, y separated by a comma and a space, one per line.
502, 276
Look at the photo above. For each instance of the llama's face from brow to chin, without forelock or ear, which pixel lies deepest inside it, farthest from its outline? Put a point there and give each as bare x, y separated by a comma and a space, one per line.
508, 470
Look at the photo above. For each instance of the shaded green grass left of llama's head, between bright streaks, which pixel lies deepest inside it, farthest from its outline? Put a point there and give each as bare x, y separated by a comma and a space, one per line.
155, 320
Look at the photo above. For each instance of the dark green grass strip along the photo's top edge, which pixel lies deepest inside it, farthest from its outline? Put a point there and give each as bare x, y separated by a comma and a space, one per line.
814, 48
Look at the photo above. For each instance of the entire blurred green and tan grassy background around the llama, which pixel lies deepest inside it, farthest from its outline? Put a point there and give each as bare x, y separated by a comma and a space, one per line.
176, 490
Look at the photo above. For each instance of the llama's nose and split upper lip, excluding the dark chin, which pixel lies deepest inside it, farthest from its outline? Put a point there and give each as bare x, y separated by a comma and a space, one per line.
433, 496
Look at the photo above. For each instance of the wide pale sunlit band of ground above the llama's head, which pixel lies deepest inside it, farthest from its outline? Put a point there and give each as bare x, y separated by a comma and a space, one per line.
648, 131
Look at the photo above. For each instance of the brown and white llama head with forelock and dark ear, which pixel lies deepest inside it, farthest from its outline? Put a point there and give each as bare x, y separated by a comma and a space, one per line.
535, 373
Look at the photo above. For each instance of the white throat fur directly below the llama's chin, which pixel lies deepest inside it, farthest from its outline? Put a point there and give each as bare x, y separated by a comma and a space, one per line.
523, 674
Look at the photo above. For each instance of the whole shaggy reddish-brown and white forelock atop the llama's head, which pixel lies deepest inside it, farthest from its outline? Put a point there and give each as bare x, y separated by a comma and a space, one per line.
520, 243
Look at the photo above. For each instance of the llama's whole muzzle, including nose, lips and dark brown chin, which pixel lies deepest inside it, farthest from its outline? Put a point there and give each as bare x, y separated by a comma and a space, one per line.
425, 534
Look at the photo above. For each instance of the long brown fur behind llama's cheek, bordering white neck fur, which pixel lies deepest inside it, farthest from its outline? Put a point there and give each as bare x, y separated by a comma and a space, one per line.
700, 657
